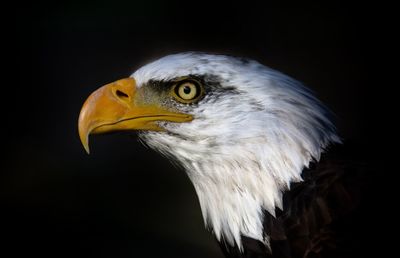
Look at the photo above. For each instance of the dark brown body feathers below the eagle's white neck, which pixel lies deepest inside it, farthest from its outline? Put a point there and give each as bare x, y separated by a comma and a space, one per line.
312, 213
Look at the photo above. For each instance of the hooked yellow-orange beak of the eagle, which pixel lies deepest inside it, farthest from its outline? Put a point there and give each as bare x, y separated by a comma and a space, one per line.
116, 107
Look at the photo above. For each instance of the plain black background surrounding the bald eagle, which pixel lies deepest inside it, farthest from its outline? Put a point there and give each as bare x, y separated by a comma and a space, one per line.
124, 200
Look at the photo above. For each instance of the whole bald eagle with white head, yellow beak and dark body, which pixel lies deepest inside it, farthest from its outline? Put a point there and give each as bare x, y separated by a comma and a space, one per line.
254, 142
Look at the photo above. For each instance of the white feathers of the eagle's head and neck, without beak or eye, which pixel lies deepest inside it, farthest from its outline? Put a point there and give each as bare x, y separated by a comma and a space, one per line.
245, 147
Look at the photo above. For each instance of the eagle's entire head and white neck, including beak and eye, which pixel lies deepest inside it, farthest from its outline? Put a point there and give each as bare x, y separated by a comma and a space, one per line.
241, 131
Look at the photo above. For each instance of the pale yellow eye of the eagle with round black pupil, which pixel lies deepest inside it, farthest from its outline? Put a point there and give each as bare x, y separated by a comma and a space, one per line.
187, 91
